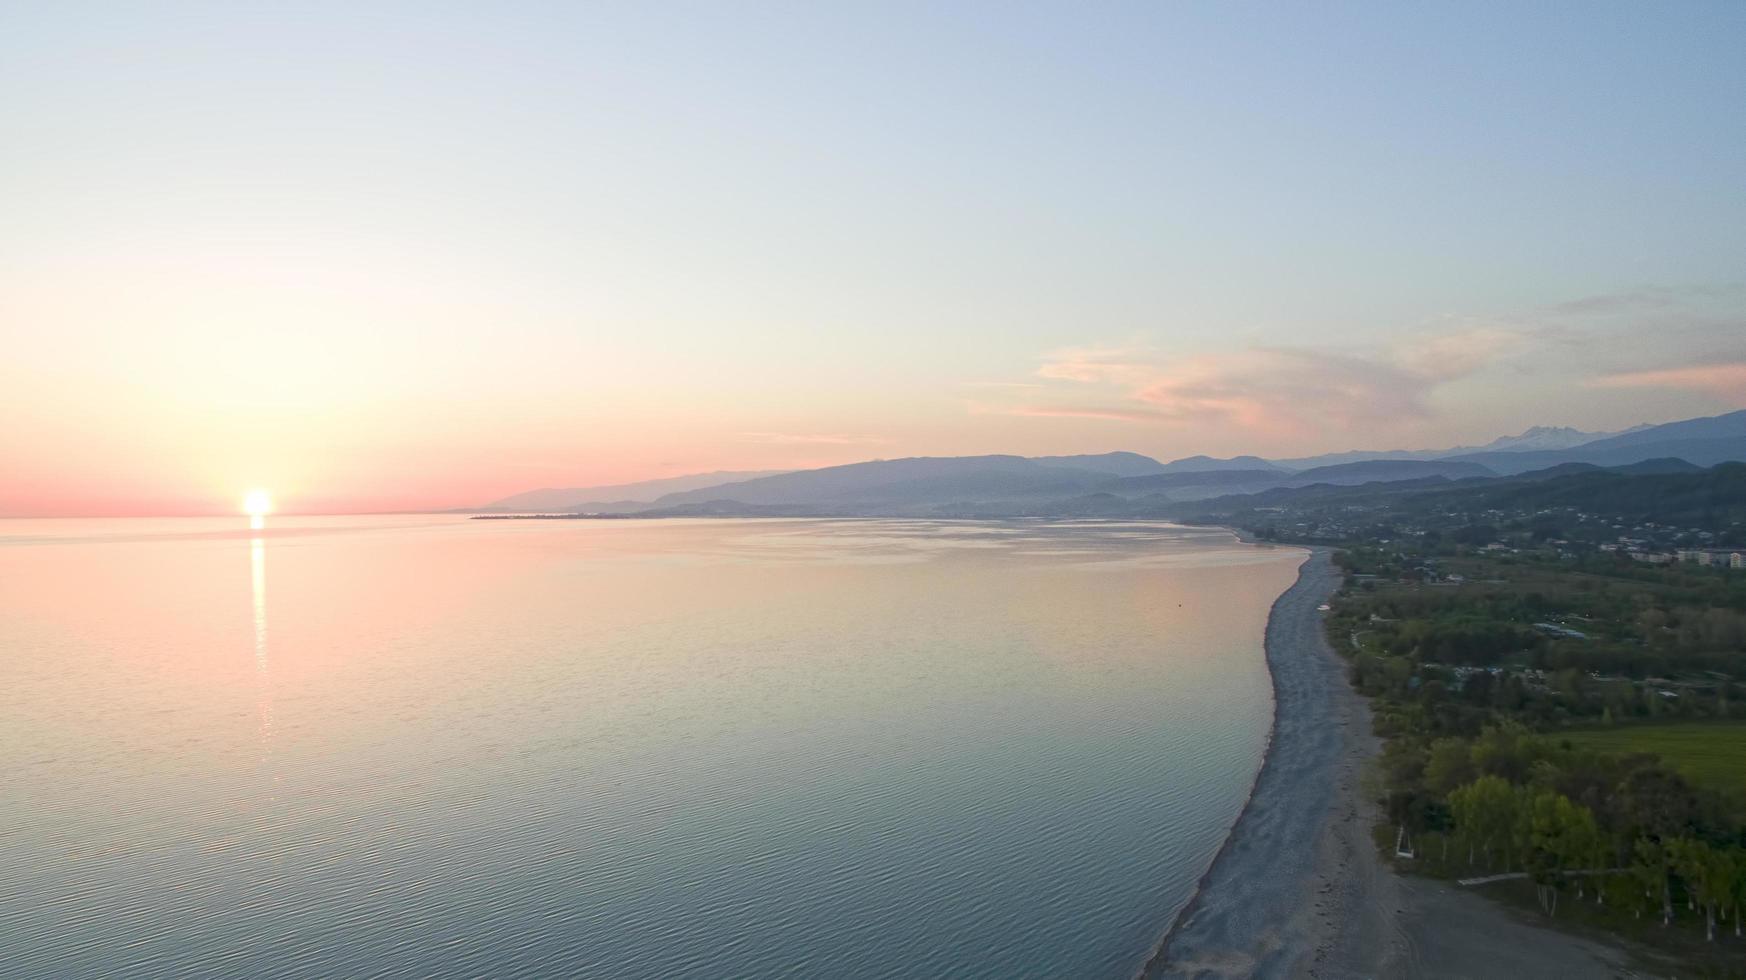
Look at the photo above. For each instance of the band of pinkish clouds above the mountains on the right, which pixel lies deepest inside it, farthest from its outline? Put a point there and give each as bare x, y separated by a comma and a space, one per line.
1459, 376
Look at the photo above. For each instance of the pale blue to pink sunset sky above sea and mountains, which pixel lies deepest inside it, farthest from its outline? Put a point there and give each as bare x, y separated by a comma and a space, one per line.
423, 256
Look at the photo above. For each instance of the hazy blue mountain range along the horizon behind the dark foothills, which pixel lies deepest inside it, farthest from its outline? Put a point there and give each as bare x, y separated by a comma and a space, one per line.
1129, 483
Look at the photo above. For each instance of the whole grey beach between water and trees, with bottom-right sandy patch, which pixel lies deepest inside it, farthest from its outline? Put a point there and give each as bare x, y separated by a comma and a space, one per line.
1298, 888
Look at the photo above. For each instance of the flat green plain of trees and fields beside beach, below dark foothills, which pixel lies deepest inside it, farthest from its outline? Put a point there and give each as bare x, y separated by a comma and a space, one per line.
1572, 724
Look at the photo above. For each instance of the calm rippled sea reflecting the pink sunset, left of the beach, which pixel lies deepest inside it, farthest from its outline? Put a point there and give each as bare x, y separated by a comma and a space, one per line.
788, 749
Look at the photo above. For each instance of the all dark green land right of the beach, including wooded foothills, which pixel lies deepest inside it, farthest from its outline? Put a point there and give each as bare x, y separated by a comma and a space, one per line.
1558, 708
